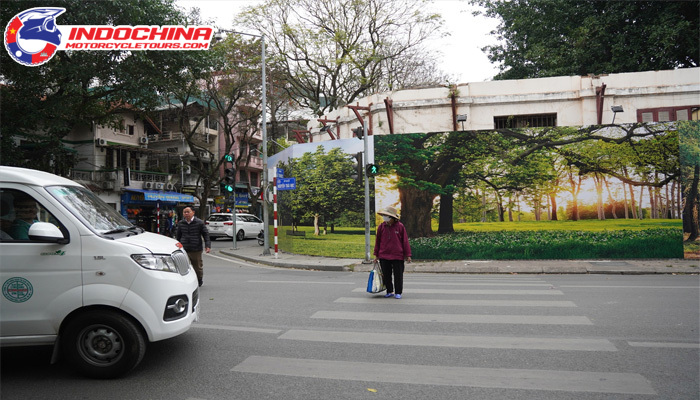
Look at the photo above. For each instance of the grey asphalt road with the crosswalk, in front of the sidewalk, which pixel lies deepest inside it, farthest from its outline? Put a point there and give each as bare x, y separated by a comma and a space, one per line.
268, 333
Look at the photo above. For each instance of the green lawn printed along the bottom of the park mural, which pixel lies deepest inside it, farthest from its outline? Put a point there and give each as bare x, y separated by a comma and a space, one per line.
586, 239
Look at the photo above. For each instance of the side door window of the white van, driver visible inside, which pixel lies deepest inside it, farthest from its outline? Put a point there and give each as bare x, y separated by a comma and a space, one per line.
18, 211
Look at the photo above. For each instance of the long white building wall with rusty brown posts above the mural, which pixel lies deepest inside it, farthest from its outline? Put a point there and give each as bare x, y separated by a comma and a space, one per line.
558, 101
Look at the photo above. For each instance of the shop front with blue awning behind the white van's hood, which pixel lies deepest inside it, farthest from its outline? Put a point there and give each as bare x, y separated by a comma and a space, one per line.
153, 210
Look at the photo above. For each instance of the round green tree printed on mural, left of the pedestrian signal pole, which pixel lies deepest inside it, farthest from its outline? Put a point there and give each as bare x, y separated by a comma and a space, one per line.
324, 187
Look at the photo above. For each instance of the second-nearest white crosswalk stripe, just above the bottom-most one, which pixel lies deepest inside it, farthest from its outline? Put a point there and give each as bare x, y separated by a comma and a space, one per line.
483, 342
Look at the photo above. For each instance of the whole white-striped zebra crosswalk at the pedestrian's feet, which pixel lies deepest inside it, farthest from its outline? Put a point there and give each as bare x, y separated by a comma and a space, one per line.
450, 302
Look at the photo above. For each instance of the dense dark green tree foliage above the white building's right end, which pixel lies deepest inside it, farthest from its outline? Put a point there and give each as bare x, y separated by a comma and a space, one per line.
540, 38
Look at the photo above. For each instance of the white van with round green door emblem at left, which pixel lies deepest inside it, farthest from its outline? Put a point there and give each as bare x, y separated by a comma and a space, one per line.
77, 275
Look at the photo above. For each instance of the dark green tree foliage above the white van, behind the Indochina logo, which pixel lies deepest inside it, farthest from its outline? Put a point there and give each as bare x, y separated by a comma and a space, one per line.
79, 88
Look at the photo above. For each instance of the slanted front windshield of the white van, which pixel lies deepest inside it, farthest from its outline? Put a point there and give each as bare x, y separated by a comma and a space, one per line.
90, 209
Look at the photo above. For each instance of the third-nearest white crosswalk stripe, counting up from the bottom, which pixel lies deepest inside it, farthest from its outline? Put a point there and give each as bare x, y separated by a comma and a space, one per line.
454, 318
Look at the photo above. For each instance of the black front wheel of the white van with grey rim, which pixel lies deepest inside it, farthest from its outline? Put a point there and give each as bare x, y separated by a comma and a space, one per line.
103, 344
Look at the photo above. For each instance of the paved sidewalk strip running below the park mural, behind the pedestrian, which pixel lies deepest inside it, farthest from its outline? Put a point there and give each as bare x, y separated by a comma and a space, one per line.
627, 267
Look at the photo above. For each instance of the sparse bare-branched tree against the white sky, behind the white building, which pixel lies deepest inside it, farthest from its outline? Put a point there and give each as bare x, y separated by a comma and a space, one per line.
336, 51
